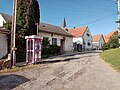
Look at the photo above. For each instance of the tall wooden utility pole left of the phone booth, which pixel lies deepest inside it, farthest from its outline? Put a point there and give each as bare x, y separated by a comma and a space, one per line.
13, 56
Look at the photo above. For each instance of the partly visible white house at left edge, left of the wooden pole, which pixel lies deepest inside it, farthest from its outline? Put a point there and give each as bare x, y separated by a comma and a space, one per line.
3, 34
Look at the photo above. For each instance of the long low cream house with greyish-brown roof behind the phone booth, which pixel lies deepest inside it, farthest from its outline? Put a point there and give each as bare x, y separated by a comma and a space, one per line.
57, 36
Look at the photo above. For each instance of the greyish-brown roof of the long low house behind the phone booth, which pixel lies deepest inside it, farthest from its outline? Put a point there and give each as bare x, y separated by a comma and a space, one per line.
43, 27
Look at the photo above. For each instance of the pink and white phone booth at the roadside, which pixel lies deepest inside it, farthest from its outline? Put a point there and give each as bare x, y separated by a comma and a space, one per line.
33, 49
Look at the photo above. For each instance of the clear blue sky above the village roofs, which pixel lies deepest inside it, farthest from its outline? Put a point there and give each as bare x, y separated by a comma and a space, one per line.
99, 15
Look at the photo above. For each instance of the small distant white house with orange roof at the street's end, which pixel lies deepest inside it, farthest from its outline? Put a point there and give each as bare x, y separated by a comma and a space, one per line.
98, 41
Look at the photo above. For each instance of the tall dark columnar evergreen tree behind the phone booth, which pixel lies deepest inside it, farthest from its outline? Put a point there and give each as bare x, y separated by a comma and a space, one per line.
27, 16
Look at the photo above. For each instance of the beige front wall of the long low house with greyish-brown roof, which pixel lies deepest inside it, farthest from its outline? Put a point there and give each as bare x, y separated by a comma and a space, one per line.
68, 40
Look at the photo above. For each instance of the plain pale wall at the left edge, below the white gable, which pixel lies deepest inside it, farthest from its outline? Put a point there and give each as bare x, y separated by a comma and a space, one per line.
3, 45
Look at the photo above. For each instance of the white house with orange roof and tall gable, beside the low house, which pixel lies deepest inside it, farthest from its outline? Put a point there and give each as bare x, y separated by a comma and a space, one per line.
82, 38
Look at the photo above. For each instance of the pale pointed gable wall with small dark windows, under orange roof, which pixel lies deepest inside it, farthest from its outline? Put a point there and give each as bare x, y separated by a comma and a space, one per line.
87, 39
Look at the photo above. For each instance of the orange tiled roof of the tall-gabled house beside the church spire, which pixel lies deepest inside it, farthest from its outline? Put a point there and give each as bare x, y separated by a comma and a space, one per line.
78, 32
